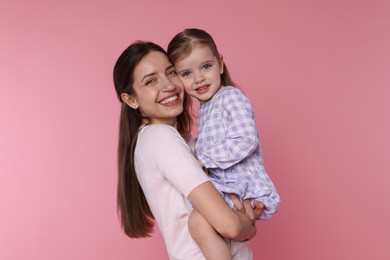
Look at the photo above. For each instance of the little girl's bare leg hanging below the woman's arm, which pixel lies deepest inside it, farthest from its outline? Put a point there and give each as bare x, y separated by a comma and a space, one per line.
209, 241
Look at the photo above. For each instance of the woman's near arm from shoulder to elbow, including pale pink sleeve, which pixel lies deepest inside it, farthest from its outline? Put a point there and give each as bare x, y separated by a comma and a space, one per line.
177, 165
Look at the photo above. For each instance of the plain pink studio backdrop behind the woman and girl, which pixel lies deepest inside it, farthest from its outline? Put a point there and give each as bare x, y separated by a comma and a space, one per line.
317, 73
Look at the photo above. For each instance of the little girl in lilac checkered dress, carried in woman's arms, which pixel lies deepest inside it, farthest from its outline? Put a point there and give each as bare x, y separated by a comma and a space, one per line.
227, 144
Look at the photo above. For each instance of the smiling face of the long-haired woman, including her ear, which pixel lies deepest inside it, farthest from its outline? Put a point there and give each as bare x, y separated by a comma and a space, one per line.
158, 90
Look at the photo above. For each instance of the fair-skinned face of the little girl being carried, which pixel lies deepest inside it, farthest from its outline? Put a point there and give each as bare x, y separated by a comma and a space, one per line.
200, 72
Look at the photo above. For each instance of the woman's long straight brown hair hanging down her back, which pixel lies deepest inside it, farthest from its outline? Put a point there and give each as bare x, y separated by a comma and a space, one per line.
135, 214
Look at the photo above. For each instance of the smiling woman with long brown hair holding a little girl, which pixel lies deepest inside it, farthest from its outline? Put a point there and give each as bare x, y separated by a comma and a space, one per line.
158, 174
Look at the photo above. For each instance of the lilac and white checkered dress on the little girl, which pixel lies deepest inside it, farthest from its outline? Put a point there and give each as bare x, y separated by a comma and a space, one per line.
229, 147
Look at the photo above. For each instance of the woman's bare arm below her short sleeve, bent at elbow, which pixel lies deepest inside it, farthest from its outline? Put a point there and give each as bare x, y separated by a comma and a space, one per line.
230, 224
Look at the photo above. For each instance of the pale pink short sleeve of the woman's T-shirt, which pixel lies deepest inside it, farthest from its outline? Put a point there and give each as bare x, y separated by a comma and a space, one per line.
174, 160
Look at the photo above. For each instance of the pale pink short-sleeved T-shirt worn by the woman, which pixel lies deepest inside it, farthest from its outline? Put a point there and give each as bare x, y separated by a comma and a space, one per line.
167, 172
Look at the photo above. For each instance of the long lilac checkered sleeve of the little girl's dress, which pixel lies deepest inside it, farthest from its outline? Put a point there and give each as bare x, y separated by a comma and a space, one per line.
240, 137
